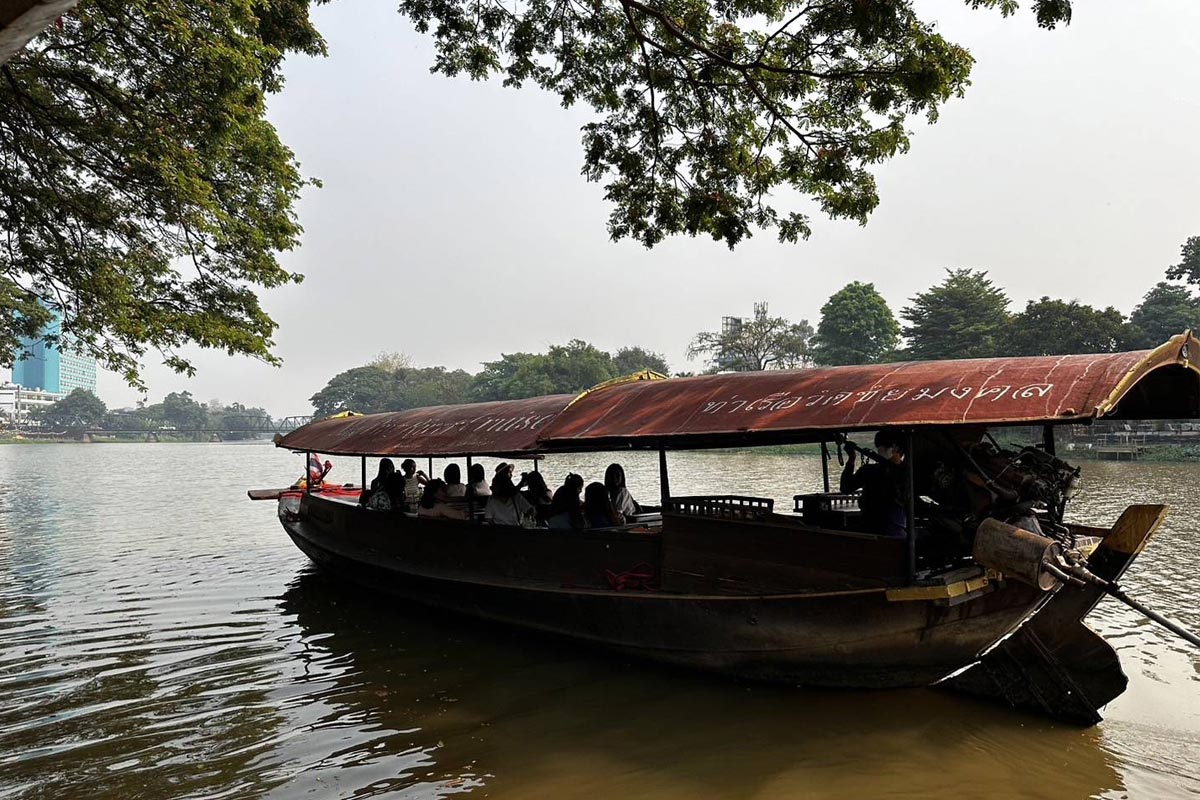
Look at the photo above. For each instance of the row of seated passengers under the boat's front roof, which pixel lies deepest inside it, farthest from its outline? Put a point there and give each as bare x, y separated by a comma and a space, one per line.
527, 503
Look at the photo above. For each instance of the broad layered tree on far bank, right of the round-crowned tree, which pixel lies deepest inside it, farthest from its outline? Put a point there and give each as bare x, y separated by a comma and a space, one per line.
964, 317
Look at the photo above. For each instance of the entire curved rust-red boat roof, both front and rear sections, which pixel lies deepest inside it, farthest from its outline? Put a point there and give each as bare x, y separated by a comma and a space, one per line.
747, 408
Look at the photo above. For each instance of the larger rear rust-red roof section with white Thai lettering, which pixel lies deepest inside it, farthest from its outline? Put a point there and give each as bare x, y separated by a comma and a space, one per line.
787, 405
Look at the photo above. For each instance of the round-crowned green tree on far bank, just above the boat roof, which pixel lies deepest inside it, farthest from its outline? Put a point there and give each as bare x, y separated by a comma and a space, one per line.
857, 327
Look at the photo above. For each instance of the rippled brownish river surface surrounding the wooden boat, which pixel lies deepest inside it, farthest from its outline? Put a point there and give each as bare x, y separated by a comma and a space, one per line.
161, 637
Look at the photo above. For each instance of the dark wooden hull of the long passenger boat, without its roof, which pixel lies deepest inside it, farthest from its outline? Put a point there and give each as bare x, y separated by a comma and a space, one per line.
844, 639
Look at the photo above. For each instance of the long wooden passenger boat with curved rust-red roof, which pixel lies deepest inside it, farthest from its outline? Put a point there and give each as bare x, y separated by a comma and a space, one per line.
731, 585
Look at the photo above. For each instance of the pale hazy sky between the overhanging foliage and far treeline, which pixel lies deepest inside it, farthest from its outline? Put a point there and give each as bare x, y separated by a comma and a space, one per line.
454, 224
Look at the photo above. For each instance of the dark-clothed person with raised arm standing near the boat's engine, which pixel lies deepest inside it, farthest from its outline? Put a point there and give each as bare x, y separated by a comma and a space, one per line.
884, 485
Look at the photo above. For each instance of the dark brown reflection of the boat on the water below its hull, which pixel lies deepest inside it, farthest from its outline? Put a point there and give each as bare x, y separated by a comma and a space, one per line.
527, 718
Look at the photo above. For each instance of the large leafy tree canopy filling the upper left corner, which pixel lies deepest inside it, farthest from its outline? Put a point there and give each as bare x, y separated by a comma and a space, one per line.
143, 194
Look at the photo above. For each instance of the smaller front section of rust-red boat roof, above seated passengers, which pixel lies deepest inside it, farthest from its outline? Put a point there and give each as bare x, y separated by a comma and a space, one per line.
500, 429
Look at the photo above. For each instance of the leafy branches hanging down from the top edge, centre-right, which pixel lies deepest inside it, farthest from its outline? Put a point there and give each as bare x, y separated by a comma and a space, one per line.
706, 109
